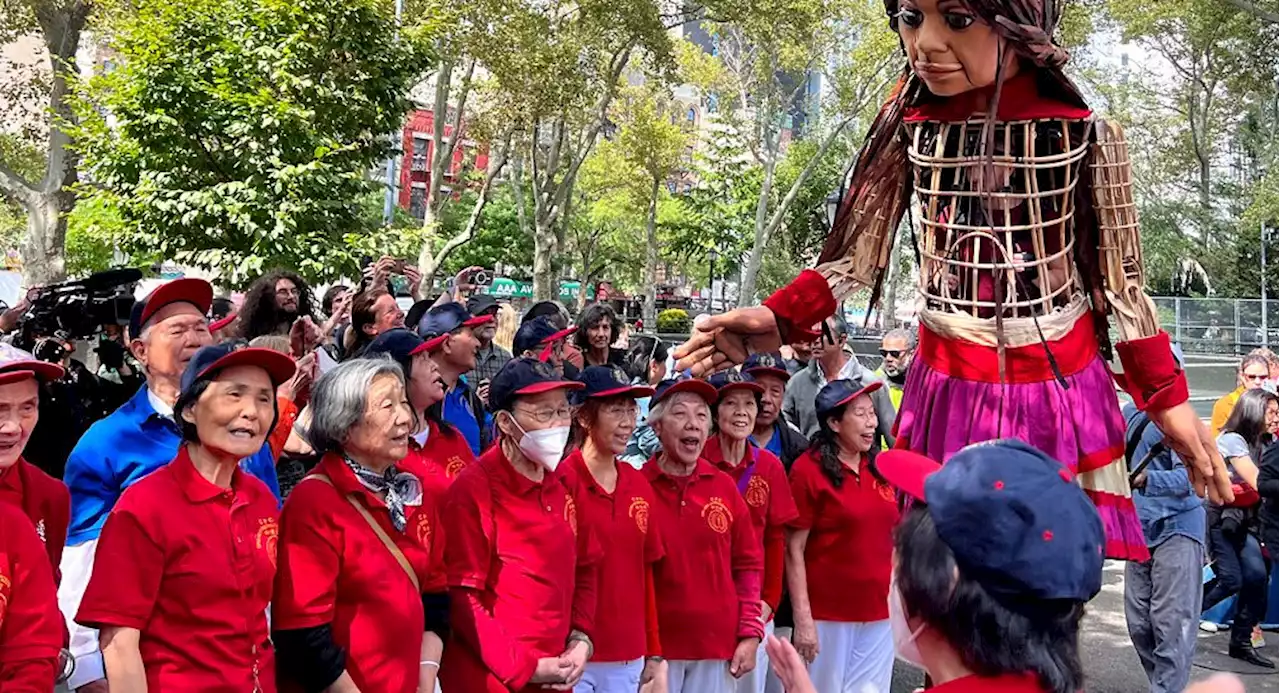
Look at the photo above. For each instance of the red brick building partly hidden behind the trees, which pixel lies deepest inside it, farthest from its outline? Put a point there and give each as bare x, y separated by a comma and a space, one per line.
417, 163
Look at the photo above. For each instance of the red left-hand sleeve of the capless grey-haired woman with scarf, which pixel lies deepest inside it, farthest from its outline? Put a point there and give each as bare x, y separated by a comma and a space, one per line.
308, 559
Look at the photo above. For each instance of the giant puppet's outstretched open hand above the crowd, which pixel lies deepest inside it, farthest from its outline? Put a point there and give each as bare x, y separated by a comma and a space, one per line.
724, 341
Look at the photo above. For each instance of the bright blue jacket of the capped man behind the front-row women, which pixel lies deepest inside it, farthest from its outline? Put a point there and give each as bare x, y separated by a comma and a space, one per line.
122, 449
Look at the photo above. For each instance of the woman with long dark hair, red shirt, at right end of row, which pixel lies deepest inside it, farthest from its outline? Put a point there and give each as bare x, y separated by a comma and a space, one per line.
843, 549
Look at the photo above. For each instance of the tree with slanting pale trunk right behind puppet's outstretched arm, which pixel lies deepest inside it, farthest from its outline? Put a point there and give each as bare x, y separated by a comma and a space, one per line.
769, 54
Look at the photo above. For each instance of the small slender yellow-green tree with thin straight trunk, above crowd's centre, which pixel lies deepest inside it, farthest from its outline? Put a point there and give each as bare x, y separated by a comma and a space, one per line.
655, 145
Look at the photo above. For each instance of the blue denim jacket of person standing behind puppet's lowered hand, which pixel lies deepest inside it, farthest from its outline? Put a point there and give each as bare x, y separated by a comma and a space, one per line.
1167, 507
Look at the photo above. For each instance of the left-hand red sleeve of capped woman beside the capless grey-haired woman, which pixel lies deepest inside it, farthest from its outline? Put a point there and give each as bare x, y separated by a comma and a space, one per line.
127, 571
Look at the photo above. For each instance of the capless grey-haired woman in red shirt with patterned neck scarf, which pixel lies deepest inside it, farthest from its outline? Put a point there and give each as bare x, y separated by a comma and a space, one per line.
356, 546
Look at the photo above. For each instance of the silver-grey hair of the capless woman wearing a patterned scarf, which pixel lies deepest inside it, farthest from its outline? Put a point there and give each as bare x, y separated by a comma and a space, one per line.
341, 396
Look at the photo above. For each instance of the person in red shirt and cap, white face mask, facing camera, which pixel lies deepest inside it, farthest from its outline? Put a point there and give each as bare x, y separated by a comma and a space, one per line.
522, 568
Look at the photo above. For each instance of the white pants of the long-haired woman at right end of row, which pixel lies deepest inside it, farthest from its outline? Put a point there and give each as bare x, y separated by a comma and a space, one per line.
853, 658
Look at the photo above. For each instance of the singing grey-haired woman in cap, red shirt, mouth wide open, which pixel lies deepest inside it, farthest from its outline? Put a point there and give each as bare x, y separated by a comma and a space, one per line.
710, 583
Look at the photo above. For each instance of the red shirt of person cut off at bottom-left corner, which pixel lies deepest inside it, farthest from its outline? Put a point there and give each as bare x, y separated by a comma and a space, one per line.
31, 628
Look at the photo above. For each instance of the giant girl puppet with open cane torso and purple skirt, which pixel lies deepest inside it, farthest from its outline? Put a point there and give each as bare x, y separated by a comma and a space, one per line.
1025, 229
